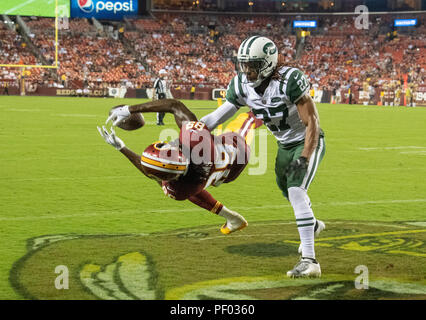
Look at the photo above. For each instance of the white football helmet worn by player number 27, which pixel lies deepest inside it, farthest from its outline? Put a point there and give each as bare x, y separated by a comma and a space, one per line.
258, 54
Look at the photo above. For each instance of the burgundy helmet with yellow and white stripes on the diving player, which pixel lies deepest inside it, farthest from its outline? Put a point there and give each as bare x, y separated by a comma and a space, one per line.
163, 161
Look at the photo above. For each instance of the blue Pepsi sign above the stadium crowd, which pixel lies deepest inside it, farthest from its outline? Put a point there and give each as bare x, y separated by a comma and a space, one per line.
104, 9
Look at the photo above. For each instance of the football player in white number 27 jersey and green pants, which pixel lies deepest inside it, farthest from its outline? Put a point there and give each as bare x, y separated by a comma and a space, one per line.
279, 95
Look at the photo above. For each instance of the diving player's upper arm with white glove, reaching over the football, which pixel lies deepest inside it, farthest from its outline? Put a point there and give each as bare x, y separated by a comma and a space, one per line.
173, 106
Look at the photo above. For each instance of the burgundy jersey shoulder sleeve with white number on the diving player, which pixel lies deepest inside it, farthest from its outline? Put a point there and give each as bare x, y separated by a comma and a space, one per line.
197, 142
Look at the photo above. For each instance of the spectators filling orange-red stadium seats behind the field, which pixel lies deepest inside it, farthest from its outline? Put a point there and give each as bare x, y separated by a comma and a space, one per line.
199, 50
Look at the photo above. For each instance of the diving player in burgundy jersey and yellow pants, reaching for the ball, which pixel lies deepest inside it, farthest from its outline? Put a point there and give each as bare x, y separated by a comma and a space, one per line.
186, 167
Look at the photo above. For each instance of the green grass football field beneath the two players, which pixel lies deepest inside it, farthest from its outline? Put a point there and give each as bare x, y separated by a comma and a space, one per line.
68, 198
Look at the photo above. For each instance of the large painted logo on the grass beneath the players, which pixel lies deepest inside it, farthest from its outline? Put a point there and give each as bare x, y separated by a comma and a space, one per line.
137, 266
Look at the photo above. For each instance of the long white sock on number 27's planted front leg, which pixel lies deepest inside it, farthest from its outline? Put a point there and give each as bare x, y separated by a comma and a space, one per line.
305, 220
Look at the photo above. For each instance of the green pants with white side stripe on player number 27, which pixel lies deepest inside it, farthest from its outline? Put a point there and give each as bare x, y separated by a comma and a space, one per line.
286, 154
